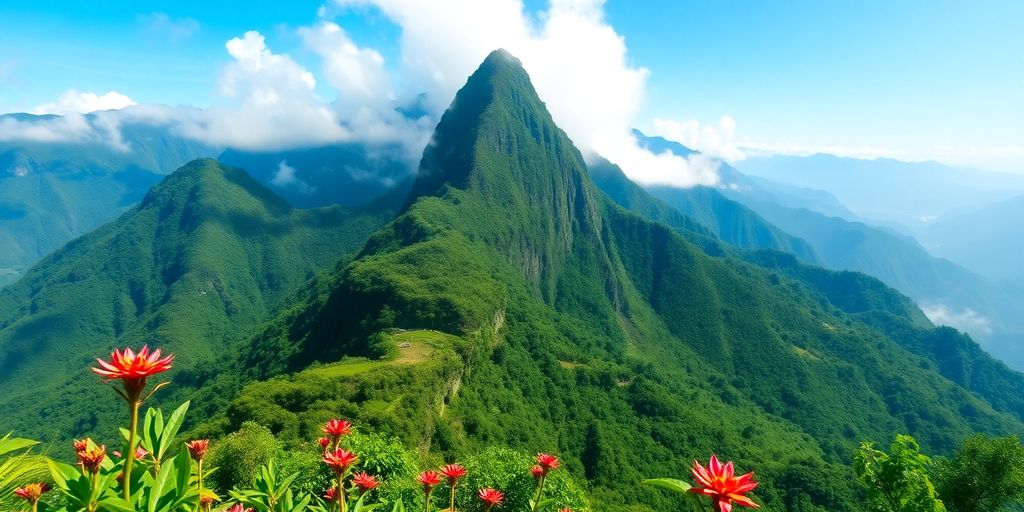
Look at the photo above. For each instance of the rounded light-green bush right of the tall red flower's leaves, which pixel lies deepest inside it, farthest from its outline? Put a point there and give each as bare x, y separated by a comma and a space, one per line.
239, 457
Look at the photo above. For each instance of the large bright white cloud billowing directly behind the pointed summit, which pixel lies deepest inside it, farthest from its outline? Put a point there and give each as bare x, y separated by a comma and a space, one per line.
576, 60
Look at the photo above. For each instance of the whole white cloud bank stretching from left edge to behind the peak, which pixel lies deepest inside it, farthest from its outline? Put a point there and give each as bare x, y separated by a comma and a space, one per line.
269, 102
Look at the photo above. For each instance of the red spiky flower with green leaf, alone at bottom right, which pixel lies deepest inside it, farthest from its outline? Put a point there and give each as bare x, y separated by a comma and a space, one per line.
717, 482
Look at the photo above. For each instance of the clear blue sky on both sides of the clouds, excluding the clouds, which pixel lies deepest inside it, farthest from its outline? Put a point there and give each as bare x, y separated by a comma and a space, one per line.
912, 78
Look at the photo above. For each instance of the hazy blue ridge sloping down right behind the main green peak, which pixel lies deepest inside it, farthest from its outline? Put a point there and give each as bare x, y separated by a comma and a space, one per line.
842, 241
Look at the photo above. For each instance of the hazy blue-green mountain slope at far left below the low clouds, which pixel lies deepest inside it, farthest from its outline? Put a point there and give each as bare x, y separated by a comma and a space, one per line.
54, 192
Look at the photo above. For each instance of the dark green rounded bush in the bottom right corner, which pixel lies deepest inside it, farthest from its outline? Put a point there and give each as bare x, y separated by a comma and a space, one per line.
986, 474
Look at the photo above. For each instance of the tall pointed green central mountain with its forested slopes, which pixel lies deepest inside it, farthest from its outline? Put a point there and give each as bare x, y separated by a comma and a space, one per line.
515, 304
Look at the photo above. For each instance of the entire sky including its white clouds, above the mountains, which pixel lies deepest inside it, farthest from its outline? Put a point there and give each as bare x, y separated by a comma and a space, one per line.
913, 80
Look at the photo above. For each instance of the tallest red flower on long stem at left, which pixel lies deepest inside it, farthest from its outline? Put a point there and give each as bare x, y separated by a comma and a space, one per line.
133, 370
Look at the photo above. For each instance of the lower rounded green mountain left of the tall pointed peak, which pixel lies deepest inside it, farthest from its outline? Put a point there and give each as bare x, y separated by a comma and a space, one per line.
206, 258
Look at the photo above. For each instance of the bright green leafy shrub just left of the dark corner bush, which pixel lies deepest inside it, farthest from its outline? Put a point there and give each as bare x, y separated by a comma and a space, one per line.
898, 482
